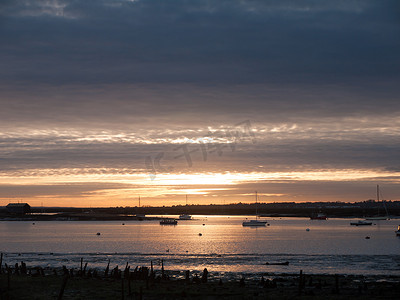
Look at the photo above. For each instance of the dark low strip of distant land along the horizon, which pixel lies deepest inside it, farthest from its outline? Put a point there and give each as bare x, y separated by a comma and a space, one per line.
368, 208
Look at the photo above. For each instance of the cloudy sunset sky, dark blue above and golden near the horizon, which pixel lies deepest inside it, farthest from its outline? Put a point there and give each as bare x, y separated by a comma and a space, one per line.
103, 101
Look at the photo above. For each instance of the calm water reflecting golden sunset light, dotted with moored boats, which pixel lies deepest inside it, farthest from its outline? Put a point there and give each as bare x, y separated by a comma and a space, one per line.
225, 247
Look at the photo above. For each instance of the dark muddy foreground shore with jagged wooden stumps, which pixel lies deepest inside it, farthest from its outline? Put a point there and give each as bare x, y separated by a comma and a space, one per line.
141, 284
